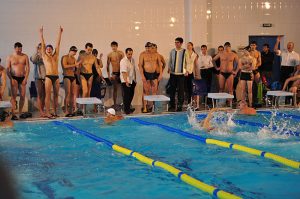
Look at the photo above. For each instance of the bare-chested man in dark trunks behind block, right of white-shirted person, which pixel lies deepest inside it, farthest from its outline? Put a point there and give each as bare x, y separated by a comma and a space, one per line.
227, 72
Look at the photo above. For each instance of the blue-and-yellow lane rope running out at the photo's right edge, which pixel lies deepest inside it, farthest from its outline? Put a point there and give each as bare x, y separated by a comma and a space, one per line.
274, 157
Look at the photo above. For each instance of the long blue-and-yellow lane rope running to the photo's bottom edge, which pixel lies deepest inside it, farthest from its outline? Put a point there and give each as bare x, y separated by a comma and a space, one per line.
215, 192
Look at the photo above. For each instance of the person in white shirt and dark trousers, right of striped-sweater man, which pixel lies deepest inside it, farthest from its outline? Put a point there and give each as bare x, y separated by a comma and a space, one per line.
206, 66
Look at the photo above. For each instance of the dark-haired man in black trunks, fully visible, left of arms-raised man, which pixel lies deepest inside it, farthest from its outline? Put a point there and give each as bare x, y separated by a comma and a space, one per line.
18, 69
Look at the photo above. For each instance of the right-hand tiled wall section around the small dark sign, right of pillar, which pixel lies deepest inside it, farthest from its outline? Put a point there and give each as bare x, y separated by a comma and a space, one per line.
236, 19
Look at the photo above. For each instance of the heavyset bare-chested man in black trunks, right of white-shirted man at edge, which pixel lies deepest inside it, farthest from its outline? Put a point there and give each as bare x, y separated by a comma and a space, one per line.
149, 63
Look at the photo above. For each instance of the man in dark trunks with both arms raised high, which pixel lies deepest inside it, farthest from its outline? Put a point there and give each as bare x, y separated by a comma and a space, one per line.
50, 60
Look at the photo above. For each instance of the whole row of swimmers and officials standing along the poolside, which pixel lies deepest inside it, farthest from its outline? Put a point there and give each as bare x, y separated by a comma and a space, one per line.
83, 76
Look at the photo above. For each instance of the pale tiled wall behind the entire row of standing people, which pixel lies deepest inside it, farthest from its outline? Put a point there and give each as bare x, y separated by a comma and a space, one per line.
134, 22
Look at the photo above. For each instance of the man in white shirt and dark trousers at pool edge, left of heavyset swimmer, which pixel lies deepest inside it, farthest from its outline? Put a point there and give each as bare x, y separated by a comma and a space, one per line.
128, 80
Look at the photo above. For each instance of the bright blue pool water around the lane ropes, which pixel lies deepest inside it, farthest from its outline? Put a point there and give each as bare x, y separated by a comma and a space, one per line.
51, 161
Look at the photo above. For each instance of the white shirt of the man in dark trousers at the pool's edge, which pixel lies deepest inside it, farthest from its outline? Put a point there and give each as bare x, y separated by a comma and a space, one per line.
127, 66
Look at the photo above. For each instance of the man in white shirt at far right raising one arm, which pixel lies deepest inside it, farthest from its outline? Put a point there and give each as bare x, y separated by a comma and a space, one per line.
289, 60
